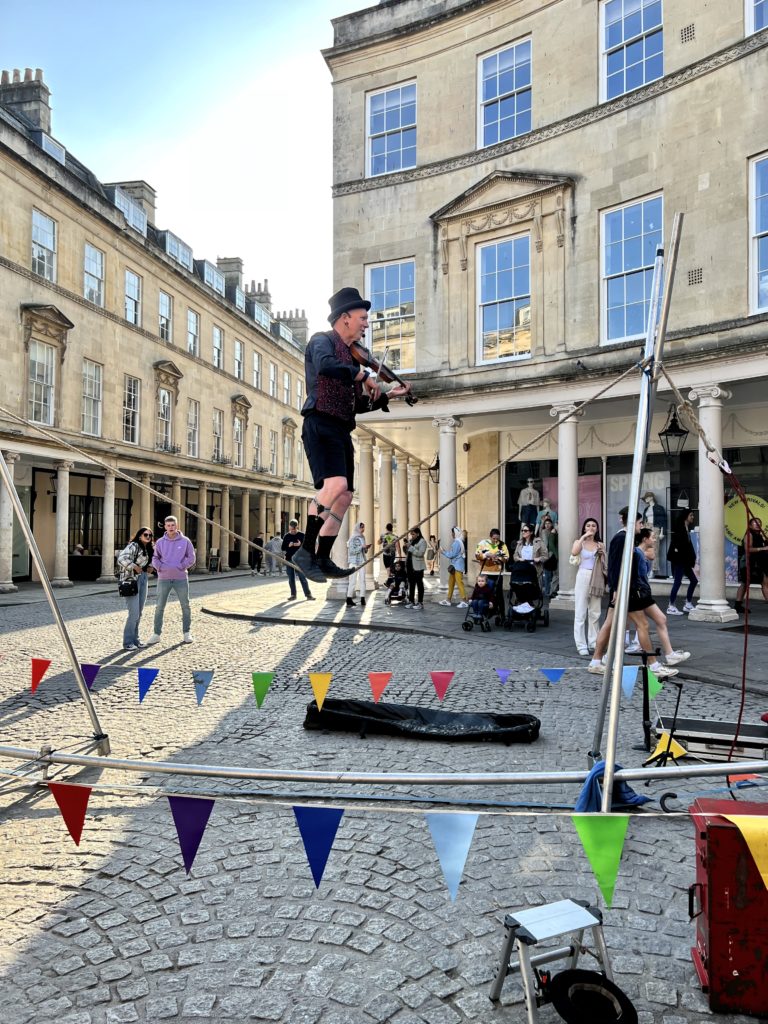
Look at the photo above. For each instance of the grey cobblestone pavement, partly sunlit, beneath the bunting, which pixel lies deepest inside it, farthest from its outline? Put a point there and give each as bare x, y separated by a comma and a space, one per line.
114, 931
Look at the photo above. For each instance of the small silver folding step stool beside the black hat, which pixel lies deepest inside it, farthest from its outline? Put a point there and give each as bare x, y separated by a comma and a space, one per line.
528, 928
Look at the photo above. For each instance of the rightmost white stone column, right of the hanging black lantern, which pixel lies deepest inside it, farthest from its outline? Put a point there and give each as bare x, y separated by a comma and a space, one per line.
712, 607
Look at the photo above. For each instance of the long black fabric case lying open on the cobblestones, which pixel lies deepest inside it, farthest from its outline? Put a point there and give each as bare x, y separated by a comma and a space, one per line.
422, 723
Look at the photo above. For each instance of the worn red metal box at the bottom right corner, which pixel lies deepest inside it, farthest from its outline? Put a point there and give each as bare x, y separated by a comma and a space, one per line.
730, 903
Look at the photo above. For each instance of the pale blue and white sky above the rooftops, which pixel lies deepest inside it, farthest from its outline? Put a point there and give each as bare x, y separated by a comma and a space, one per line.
225, 109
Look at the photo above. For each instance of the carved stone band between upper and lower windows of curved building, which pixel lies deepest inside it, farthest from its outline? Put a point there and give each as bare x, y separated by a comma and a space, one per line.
714, 62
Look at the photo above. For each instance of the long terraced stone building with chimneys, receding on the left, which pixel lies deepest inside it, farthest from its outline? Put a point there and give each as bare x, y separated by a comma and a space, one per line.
162, 367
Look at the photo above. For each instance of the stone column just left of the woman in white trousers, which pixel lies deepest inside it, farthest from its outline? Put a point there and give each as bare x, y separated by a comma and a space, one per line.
568, 500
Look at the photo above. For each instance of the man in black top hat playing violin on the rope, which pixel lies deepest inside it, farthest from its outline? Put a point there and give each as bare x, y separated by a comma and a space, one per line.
337, 390
